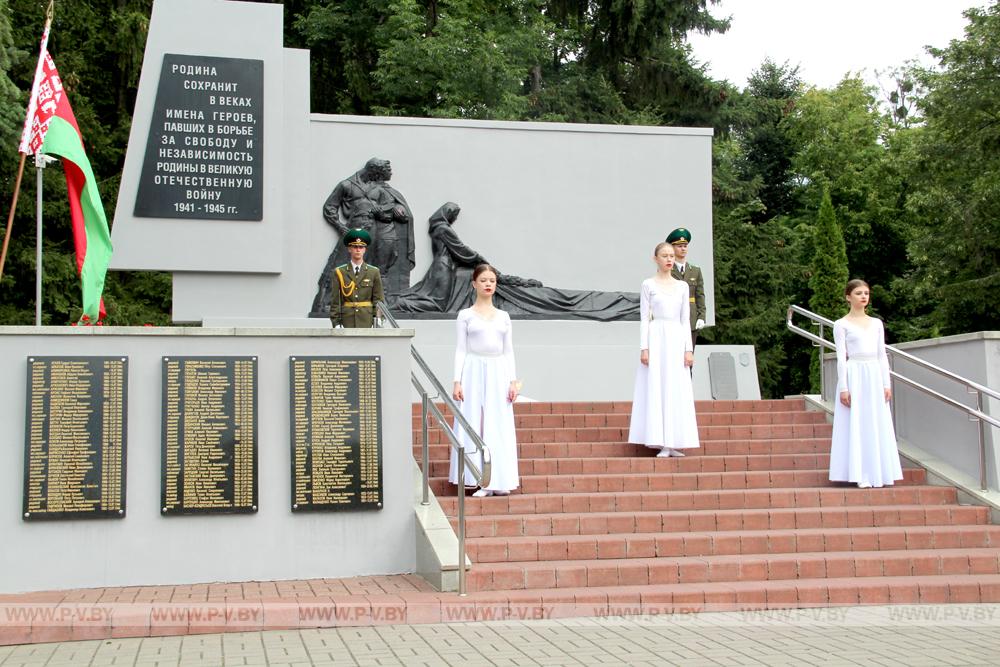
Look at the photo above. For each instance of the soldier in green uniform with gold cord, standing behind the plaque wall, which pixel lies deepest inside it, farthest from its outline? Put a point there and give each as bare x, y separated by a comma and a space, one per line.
357, 286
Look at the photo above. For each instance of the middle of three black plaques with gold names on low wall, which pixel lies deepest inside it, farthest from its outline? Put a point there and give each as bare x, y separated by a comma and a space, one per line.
209, 435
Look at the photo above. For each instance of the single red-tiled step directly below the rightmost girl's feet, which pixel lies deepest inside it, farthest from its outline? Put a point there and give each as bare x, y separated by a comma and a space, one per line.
725, 499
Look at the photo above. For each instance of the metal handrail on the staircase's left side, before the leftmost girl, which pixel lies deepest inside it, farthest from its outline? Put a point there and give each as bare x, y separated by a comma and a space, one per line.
428, 409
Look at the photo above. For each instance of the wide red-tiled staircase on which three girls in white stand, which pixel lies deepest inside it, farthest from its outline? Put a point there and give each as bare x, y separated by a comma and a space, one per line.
749, 520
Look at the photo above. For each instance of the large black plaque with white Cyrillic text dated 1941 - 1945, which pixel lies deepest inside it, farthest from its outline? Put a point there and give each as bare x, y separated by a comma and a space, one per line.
204, 153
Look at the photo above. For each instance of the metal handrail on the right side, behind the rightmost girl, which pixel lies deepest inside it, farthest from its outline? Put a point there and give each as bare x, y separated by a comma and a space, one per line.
971, 386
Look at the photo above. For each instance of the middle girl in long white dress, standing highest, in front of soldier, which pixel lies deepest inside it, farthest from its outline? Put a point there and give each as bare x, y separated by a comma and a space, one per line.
663, 404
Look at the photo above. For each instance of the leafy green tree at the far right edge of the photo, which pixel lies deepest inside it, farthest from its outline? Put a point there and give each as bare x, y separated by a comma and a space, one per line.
956, 194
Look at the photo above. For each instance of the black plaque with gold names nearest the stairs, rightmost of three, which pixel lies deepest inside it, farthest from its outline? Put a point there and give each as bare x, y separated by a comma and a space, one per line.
336, 433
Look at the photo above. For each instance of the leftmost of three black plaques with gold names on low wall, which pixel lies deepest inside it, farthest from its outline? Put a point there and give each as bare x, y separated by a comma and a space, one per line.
75, 438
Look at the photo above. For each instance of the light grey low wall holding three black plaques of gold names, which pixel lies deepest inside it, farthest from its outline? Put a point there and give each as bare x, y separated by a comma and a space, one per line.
146, 548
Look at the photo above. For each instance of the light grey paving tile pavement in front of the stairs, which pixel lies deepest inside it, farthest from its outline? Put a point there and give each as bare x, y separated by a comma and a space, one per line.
952, 635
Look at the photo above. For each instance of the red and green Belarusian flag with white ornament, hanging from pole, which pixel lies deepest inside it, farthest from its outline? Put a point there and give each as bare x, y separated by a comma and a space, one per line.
50, 127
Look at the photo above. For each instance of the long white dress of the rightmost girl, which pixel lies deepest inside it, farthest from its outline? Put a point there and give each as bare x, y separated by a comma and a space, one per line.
864, 443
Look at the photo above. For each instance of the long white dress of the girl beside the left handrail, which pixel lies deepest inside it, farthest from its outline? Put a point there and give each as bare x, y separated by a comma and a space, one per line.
484, 364
